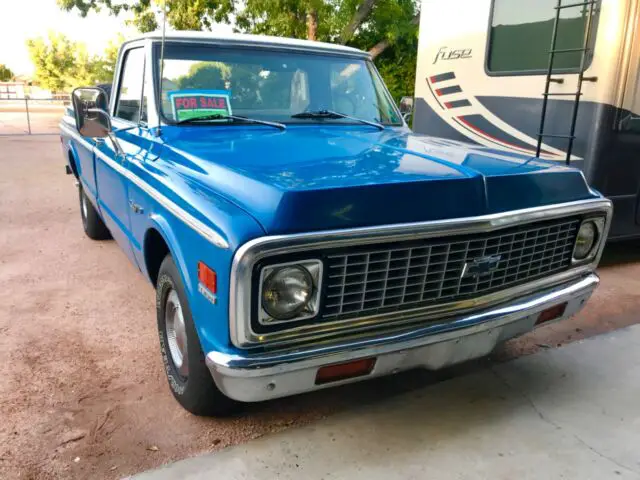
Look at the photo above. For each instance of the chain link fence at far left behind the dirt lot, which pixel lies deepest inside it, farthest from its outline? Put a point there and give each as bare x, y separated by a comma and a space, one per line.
32, 116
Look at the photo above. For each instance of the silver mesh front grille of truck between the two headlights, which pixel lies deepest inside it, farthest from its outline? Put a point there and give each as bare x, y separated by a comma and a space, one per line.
383, 278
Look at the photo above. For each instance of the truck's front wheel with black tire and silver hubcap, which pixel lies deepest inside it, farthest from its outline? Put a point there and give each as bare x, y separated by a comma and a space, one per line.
188, 375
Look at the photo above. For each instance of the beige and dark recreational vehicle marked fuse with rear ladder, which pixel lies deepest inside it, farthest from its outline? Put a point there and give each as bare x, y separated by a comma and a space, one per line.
556, 79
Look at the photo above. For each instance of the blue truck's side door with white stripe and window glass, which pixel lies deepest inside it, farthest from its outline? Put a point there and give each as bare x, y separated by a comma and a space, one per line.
111, 167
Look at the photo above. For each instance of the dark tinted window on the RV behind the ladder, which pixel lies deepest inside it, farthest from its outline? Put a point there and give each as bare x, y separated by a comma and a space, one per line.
520, 36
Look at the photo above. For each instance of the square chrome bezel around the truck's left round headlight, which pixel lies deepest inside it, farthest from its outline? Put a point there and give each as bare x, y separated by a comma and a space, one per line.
314, 267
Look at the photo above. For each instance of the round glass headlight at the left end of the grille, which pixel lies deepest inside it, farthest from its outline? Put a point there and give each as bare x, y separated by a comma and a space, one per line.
286, 292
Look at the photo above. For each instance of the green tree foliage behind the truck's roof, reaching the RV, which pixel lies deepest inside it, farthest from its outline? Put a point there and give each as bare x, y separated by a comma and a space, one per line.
387, 28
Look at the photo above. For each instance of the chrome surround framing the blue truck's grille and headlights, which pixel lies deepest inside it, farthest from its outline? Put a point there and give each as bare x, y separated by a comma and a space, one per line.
247, 255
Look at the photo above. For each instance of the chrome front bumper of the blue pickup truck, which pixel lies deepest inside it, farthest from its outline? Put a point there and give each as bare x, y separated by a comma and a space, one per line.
254, 377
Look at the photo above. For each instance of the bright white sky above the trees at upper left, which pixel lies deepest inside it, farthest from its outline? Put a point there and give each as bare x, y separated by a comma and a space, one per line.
31, 18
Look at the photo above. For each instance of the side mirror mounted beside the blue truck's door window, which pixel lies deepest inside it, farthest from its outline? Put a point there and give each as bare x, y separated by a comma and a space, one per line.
91, 112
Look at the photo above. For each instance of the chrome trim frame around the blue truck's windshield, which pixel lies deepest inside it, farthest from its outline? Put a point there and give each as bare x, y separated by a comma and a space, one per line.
155, 56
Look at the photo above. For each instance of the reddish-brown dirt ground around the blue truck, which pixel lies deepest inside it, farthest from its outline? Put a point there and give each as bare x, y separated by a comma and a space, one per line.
82, 391
